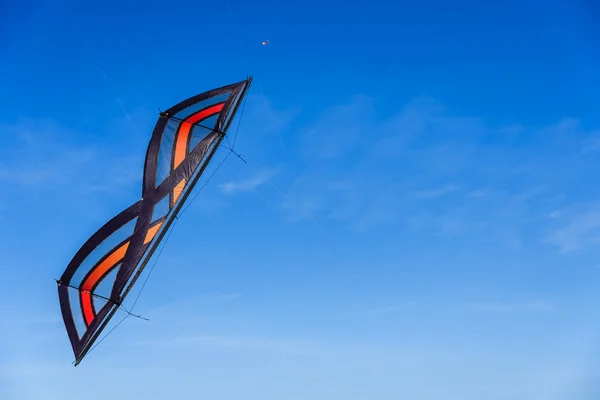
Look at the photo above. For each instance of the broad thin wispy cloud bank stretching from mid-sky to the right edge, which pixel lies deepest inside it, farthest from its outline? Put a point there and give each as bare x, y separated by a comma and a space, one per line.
502, 179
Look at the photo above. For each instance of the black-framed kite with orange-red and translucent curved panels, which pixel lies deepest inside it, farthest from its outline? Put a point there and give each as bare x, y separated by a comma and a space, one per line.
104, 270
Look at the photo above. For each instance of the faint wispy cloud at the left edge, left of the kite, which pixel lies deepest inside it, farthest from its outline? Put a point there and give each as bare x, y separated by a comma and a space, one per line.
43, 153
